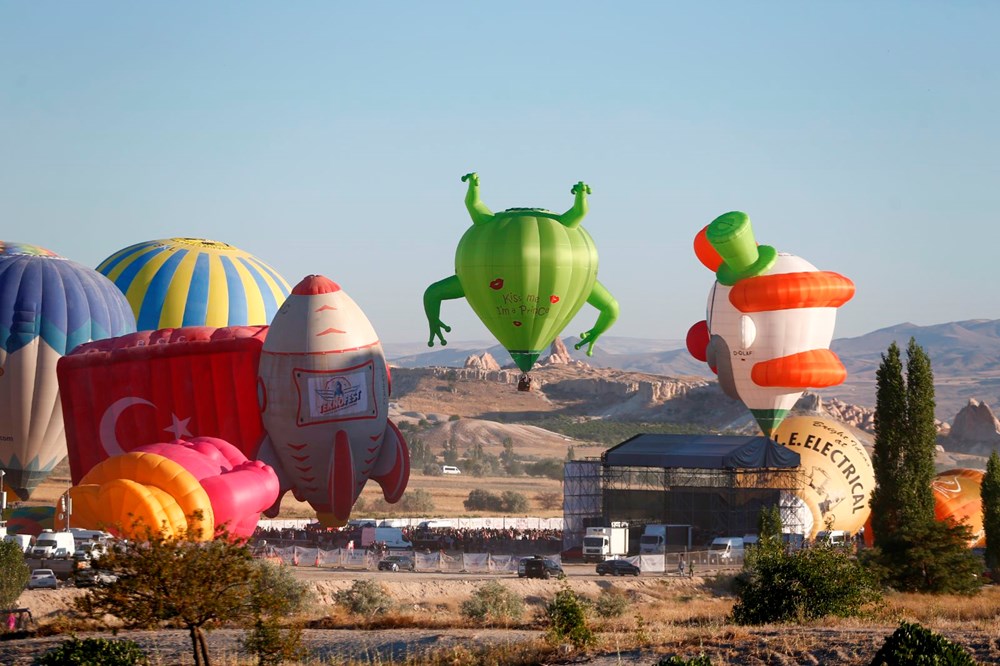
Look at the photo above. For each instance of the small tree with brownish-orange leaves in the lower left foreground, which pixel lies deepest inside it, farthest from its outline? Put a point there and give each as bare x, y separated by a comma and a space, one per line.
178, 580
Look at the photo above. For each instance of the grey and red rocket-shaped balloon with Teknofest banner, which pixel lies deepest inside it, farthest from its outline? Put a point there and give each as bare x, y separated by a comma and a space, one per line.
324, 393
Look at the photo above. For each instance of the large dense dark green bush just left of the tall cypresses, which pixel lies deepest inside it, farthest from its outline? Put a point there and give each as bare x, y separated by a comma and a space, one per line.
776, 586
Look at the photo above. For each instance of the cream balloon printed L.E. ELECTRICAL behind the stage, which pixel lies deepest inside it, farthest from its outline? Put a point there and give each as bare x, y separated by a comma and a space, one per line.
838, 471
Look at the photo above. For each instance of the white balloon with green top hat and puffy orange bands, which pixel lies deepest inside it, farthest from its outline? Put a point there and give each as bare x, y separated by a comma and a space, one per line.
770, 321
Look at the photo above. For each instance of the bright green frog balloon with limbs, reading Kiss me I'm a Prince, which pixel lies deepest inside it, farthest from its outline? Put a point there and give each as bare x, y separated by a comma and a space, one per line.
526, 272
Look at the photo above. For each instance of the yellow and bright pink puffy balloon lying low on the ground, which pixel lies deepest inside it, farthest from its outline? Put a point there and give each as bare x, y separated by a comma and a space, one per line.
163, 485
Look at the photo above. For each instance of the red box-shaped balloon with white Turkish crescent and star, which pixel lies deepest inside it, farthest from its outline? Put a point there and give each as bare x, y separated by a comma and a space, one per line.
155, 386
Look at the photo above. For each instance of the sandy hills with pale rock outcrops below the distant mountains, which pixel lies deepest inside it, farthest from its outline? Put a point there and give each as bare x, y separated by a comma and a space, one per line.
480, 404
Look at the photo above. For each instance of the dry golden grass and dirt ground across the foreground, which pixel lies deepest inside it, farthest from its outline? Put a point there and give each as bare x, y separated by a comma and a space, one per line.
665, 615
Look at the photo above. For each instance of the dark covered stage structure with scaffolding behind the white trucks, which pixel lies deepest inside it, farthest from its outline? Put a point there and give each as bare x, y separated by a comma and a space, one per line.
716, 484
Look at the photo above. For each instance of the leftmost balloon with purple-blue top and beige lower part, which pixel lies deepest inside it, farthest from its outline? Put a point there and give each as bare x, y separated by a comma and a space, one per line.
48, 306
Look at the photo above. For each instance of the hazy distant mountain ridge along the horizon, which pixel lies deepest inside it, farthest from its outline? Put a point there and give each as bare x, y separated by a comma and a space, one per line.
965, 358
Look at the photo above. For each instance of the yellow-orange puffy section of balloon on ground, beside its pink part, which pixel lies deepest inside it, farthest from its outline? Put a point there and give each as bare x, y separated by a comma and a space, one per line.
140, 486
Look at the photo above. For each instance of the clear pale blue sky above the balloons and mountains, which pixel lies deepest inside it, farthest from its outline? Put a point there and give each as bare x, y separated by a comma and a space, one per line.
329, 137
